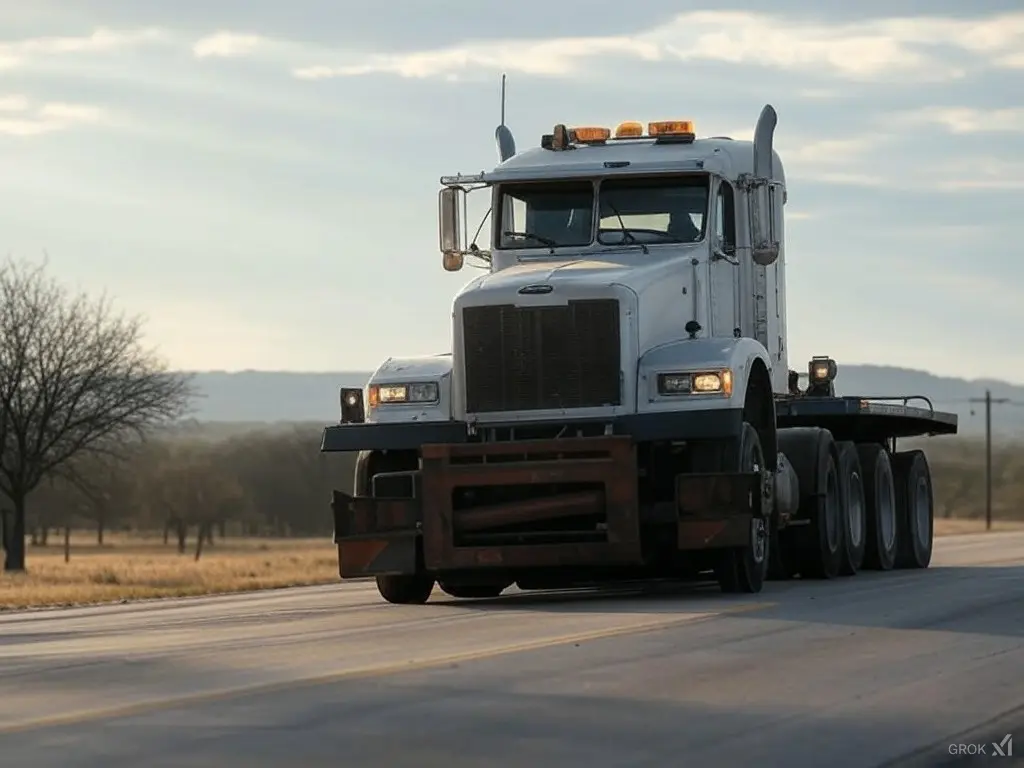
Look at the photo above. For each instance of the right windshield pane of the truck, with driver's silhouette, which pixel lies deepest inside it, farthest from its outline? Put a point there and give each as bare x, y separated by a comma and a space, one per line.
666, 209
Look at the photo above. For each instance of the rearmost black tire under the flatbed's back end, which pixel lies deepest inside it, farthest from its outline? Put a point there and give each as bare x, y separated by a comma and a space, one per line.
915, 509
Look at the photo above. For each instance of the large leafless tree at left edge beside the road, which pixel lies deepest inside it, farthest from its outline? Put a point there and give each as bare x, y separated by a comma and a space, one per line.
75, 380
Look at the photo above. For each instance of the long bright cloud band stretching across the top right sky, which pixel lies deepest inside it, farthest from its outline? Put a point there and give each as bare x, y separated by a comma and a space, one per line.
919, 50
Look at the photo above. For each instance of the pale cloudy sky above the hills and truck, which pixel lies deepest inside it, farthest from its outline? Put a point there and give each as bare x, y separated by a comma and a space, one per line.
259, 180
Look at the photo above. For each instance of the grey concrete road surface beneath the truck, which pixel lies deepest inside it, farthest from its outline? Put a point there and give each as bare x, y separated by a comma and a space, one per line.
886, 669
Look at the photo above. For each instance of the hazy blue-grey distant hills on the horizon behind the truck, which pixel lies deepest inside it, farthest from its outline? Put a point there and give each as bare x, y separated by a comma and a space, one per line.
250, 400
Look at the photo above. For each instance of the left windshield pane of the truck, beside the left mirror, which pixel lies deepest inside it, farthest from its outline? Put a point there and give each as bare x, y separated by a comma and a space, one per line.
548, 215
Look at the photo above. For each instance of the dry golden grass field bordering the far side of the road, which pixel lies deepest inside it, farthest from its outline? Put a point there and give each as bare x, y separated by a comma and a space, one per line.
132, 569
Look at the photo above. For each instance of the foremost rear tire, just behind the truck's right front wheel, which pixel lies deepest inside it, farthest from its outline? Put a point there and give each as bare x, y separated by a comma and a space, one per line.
816, 548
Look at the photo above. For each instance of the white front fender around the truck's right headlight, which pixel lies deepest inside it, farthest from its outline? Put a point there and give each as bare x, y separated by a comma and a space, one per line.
694, 356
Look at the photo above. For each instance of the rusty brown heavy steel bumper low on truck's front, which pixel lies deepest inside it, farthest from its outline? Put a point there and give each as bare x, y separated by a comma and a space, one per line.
591, 518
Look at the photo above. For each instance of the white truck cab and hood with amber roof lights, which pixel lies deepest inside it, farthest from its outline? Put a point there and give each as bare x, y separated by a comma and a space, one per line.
661, 224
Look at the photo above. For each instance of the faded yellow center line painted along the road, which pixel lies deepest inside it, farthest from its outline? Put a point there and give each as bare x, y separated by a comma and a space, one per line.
382, 670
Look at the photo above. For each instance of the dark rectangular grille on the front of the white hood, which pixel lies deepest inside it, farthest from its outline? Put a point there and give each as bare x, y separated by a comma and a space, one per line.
530, 359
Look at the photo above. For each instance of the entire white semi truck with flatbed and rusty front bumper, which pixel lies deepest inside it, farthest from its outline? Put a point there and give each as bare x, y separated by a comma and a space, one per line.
619, 403
